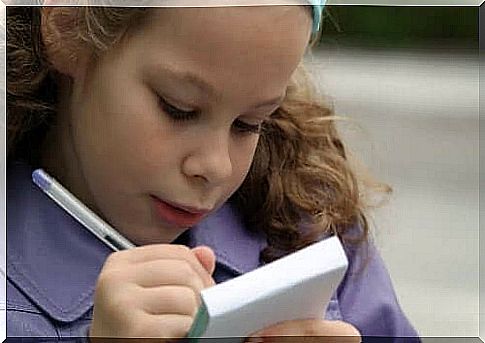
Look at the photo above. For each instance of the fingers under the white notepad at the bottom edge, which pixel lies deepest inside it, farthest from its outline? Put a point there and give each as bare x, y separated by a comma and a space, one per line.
312, 330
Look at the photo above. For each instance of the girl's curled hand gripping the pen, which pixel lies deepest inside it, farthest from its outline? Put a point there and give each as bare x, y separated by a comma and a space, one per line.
151, 291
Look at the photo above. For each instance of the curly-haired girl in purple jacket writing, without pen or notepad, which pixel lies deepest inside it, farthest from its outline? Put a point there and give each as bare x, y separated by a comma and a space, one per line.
189, 131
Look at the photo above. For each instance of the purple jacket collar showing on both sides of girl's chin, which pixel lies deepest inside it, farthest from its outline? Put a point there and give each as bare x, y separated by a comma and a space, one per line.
55, 261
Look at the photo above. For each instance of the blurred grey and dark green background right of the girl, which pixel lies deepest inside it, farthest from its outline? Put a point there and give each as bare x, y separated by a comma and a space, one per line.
406, 79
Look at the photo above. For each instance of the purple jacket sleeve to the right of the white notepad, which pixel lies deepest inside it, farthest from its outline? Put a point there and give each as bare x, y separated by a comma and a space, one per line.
367, 298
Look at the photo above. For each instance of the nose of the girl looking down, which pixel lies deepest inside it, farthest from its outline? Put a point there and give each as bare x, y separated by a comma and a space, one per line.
210, 160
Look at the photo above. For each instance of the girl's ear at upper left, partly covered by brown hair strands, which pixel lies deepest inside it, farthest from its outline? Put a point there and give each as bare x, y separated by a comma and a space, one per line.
65, 51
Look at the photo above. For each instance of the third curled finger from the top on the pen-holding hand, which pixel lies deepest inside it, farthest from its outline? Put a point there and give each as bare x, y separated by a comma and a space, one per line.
170, 300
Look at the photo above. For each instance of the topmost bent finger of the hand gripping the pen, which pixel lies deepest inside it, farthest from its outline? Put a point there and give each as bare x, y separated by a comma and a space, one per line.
154, 252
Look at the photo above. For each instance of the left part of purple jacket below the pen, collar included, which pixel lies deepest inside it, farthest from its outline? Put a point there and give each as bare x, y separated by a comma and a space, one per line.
52, 263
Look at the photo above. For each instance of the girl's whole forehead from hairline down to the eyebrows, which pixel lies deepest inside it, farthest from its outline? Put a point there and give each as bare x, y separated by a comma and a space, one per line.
232, 48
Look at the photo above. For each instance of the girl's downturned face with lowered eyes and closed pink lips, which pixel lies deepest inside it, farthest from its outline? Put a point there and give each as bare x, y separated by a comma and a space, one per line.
171, 114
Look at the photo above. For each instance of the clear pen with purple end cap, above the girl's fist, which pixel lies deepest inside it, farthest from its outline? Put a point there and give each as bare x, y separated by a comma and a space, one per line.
80, 212
